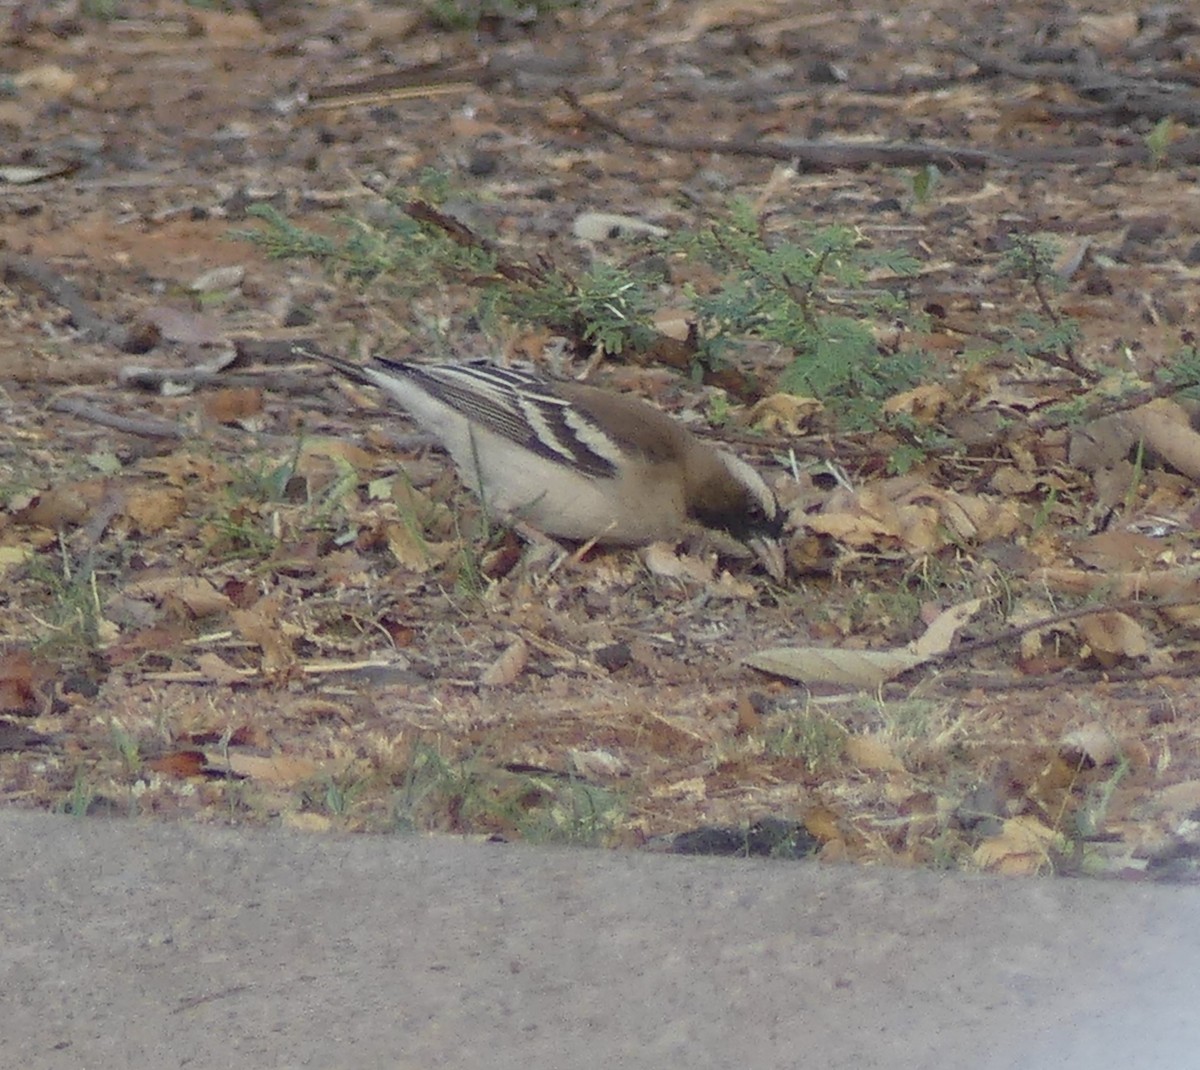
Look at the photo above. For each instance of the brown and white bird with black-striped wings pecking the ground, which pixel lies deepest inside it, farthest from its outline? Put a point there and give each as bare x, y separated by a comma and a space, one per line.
574, 461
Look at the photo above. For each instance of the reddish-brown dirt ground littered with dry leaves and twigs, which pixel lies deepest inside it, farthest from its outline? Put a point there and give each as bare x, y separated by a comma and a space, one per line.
218, 616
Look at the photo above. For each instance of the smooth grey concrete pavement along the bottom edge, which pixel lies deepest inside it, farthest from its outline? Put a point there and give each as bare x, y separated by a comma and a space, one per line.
152, 946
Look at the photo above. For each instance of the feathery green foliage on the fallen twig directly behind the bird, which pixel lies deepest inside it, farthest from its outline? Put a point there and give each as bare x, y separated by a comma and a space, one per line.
819, 293
